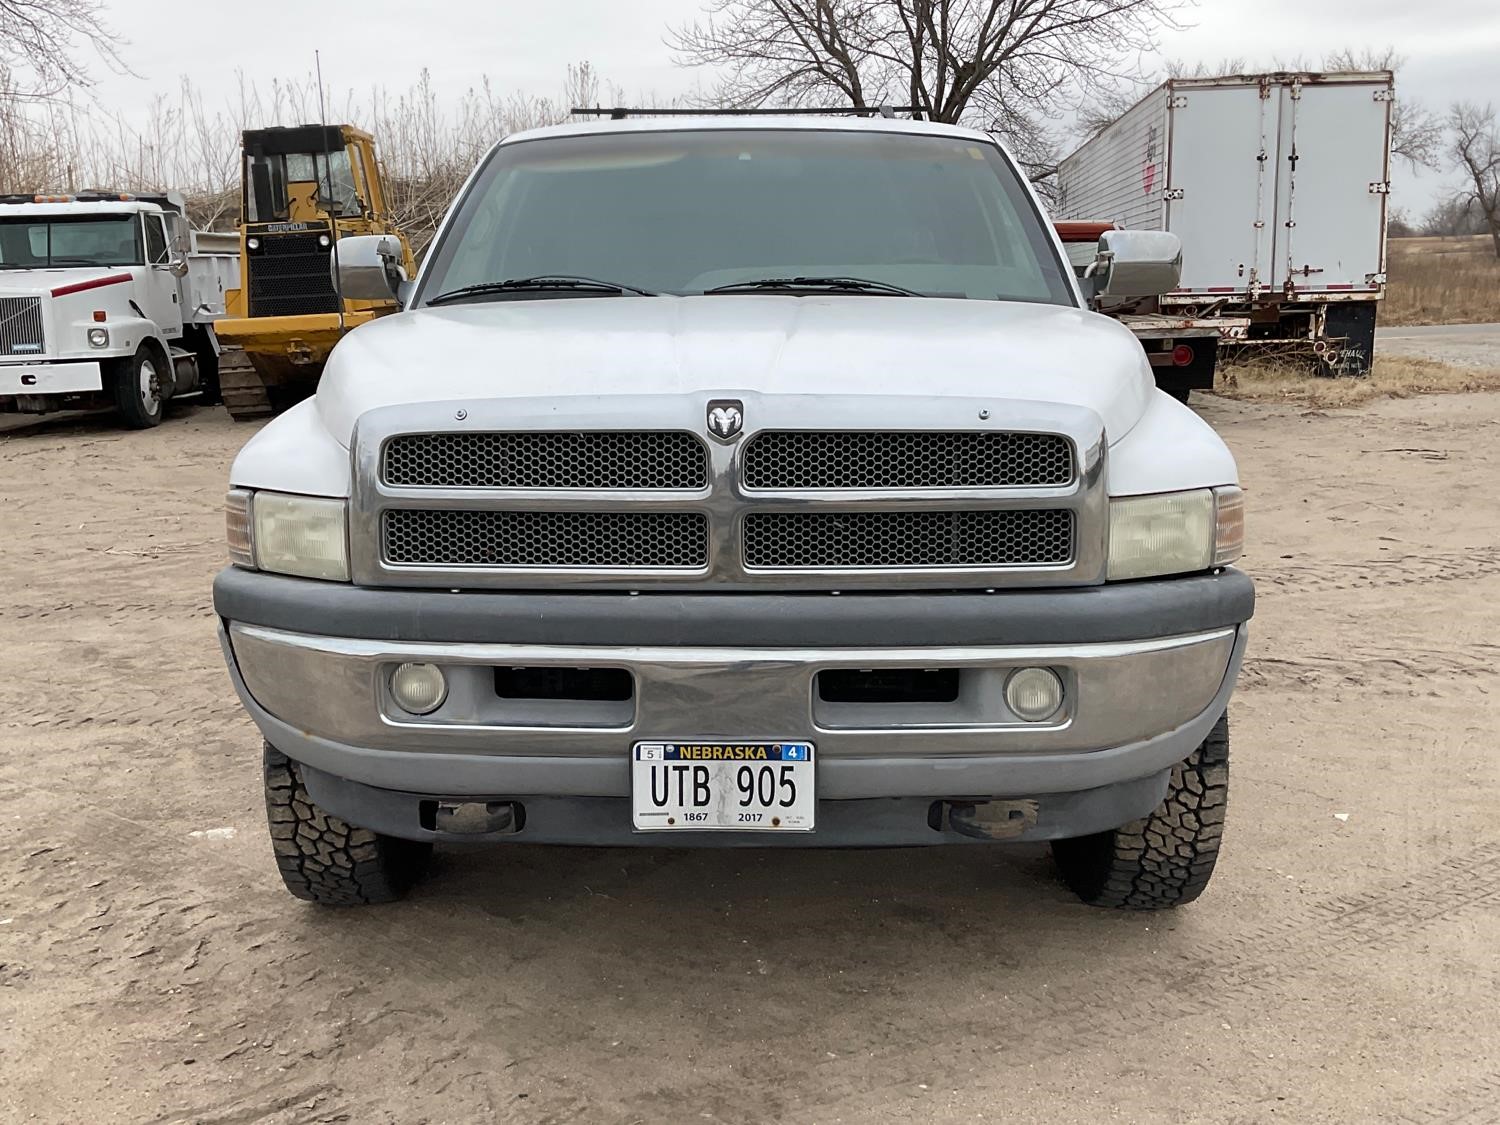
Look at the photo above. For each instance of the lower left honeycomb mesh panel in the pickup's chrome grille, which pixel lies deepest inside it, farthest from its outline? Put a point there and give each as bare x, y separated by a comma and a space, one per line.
547, 539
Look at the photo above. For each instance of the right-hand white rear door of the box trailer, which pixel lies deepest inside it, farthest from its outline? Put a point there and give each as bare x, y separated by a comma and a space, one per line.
1331, 205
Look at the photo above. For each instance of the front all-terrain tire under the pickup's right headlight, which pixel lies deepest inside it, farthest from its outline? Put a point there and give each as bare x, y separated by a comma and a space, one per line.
1168, 859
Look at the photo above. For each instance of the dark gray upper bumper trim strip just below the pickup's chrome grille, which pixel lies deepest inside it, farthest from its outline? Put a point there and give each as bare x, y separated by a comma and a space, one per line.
1130, 611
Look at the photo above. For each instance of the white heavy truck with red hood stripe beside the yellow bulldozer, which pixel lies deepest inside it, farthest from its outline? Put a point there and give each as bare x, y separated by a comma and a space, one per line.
109, 299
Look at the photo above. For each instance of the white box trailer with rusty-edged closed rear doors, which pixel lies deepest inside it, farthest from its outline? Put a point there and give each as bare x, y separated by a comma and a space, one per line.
1277, 185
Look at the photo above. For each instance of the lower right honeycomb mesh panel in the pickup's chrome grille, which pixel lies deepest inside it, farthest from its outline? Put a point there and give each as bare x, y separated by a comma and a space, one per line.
830, 541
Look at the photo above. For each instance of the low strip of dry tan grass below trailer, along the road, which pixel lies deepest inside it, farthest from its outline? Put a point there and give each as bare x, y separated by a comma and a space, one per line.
1396, 377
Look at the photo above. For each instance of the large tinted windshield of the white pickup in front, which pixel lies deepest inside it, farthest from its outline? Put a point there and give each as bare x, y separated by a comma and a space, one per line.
685, 212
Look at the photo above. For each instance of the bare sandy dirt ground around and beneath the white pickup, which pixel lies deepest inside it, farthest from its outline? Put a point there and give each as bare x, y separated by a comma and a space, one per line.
1342, 967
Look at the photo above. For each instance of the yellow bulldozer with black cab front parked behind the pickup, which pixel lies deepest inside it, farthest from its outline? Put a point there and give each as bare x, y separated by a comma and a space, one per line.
305, 188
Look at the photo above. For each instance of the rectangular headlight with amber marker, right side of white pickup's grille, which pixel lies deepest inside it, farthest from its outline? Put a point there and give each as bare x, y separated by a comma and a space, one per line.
1175, 533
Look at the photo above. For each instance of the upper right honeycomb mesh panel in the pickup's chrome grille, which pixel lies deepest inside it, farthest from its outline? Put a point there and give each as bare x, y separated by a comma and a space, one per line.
925, 460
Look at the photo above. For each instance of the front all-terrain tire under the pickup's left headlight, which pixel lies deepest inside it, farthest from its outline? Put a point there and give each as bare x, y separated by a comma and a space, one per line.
326, 860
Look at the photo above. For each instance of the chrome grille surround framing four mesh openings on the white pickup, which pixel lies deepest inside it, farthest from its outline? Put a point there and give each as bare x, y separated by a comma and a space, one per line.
725, 505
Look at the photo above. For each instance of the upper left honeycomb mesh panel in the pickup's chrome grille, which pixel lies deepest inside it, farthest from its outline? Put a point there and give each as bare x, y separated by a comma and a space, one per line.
548, 461
